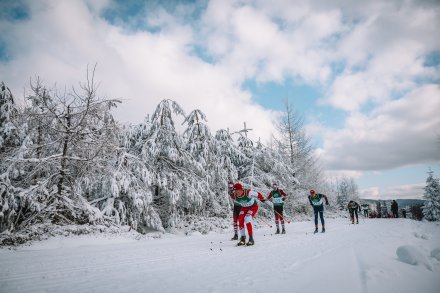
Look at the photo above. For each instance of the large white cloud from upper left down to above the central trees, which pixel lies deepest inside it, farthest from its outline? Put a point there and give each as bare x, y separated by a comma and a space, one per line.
141, 67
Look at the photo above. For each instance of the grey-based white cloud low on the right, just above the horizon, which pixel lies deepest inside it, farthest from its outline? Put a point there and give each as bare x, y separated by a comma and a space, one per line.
402, 132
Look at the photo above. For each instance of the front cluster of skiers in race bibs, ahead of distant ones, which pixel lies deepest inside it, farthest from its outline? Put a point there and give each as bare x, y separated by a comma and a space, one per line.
246, 207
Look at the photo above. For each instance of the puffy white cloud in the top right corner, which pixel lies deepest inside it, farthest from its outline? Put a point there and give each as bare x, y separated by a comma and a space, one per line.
384, 54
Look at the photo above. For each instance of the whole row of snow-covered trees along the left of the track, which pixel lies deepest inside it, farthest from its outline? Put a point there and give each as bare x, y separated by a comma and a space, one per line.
66, 160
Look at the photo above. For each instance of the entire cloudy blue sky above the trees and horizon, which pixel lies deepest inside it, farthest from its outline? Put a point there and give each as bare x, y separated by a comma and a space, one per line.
363, 75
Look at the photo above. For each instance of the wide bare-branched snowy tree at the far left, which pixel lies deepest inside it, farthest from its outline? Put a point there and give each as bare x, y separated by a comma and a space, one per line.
70, 142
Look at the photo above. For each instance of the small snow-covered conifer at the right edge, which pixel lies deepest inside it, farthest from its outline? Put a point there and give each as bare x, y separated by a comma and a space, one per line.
431, 208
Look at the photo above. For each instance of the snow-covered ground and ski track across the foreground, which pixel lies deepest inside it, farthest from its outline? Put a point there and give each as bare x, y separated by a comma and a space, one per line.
378, 255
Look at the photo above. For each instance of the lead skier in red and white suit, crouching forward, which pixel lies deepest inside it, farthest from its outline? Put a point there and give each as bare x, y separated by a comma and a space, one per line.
249, 207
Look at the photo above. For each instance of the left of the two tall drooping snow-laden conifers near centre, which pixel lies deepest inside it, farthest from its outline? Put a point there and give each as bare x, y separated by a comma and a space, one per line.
178, 185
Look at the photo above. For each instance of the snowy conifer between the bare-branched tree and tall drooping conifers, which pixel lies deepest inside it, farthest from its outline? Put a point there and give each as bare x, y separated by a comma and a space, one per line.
130, 198
